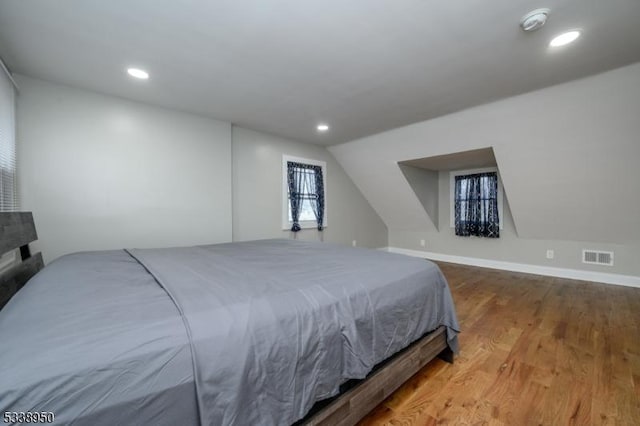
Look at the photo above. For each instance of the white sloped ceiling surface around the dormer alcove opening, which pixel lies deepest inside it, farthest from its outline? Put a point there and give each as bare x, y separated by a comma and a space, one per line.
569, 158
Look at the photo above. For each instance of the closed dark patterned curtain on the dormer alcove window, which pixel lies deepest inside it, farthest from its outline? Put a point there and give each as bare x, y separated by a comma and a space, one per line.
476, 205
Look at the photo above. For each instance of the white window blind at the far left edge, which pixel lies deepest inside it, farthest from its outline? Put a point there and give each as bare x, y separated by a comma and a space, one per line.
8, 189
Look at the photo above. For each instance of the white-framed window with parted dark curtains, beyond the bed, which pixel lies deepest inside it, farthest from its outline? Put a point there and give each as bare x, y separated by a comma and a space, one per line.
304, 183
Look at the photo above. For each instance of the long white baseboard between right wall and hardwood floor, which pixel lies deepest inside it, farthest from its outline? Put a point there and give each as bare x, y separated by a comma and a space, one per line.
574, 274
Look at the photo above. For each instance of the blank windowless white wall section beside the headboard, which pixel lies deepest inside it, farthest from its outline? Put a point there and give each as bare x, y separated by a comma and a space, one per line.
101, 172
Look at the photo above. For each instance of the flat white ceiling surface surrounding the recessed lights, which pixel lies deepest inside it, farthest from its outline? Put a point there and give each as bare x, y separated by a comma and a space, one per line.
282, 66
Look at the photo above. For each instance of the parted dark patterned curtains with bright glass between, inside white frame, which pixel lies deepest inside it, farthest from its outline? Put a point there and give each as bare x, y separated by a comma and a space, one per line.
306, 192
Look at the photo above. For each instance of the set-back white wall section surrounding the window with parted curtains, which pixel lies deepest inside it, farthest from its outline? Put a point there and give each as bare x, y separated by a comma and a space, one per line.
257, 194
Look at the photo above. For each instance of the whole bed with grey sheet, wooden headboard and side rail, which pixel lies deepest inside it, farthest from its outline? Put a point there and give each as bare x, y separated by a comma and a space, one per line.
259, 332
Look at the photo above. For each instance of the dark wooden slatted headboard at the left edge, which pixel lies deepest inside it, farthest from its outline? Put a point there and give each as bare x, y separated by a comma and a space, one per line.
17, 230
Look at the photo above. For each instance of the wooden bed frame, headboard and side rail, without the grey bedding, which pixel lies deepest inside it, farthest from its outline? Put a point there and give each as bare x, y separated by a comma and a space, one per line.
357, 397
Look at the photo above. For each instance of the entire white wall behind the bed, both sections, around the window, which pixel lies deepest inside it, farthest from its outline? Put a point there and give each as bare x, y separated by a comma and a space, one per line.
101, 172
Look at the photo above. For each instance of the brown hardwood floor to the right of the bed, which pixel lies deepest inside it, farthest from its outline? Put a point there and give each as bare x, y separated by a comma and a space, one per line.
534, 351
